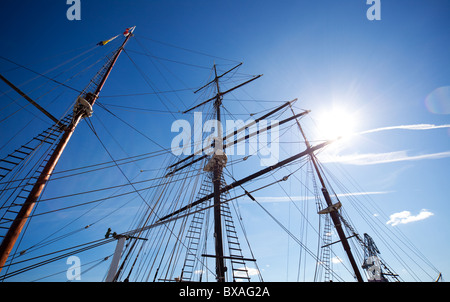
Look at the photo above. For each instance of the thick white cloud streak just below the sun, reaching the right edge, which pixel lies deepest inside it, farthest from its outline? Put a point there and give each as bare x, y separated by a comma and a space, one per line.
381, 158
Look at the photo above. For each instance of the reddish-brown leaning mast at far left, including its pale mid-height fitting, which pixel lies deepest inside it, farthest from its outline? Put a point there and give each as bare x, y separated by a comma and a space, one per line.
83, 108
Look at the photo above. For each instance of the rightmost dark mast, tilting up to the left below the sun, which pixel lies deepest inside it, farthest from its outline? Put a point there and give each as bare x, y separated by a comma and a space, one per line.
333, 213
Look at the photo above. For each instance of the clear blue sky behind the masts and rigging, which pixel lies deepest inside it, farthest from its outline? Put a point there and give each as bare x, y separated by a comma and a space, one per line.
386, 74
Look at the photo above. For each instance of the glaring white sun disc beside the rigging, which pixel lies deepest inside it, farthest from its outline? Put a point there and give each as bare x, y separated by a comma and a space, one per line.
336, 123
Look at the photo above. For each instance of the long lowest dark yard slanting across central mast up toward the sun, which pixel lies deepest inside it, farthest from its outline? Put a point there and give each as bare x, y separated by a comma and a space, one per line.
250, 177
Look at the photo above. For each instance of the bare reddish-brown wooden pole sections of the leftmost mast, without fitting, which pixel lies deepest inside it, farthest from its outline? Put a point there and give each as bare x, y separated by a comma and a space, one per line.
22, 217
